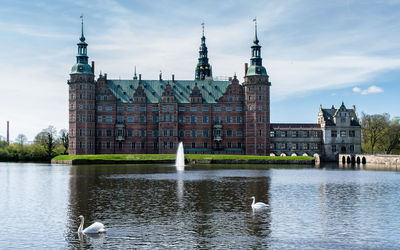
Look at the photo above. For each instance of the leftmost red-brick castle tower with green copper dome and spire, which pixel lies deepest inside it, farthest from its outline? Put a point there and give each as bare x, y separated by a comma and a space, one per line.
82, 102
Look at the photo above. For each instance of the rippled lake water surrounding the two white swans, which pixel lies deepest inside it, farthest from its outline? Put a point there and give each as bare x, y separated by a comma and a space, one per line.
156, 207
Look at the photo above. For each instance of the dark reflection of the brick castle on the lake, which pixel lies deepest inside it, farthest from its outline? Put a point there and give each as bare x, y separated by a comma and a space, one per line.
156, 206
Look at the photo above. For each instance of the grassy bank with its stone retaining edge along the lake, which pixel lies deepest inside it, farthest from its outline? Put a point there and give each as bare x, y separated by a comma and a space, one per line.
171, 157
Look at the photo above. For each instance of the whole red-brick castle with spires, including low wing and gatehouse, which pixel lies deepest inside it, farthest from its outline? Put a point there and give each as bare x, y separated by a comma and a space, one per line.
138, 116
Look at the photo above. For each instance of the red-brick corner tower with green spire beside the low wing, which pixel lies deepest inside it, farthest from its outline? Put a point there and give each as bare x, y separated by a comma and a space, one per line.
257, 98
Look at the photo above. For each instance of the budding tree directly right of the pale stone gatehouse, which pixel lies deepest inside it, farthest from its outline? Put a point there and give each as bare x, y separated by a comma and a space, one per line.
374, 128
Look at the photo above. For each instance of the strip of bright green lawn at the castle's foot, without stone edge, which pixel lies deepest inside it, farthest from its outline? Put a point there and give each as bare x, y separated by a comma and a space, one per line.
158, 157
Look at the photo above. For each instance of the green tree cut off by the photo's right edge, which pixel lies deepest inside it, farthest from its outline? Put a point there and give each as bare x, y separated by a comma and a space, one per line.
390, 140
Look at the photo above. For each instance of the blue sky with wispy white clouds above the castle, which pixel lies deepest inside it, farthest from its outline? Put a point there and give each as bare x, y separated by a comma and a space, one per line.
316, 52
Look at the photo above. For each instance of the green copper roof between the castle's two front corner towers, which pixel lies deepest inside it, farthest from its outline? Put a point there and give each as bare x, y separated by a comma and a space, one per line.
124, 90
